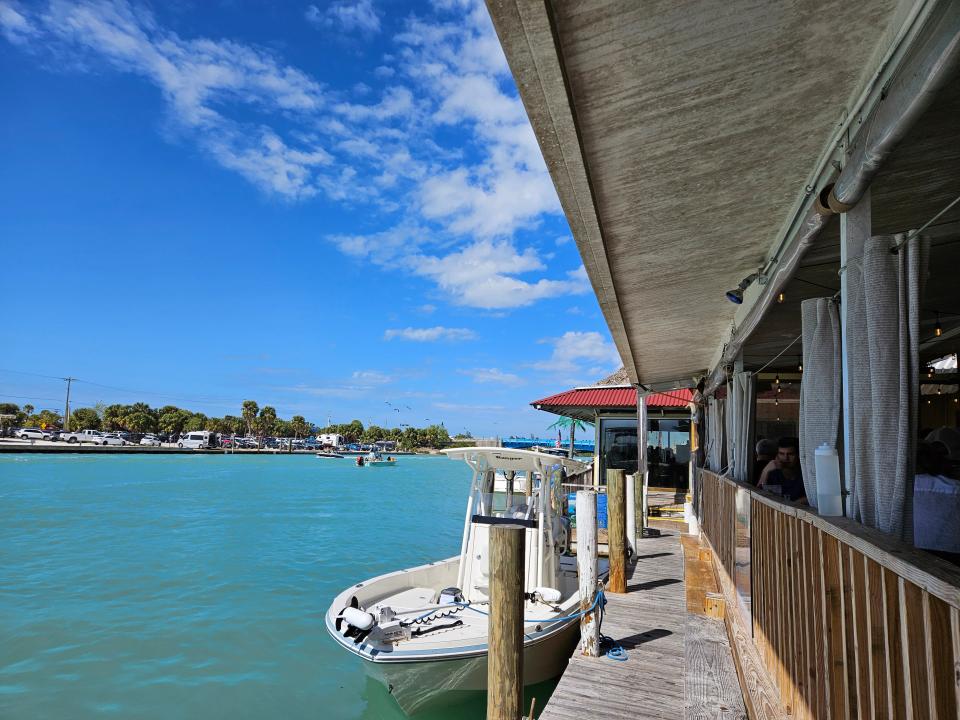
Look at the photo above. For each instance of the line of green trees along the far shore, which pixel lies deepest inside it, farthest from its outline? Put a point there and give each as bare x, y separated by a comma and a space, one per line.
253, 421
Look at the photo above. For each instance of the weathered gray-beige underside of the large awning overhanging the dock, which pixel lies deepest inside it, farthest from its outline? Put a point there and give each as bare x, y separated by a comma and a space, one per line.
687, 140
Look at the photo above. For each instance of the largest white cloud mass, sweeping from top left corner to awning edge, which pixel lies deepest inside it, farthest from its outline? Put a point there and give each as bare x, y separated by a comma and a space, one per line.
453, 211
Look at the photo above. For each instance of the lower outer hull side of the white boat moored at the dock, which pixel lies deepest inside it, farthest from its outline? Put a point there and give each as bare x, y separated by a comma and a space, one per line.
427, 684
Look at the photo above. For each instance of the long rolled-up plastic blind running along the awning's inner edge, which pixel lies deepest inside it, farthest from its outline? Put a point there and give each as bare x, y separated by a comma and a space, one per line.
928, 68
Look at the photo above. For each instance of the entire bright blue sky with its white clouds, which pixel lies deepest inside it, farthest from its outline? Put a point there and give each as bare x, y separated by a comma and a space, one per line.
320, 206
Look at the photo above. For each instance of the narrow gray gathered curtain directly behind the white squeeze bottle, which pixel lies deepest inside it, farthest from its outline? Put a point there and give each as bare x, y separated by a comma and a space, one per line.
821, 396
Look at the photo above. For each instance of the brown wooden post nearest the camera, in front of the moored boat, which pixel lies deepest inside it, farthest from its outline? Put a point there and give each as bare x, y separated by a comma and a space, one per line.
505, 650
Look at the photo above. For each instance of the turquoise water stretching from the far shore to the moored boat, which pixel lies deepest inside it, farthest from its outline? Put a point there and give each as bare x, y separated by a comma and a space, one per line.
195, 586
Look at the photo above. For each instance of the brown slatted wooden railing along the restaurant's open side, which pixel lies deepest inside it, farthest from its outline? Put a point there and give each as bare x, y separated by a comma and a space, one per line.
847, 622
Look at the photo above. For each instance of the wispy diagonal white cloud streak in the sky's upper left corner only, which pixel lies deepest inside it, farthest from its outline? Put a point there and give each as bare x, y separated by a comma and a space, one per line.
202, 82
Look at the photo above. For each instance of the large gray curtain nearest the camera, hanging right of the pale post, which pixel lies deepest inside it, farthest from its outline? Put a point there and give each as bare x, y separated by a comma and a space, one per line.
883, 314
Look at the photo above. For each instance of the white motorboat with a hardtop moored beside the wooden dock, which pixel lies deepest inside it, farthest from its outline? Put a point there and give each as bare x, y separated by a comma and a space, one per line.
422, 632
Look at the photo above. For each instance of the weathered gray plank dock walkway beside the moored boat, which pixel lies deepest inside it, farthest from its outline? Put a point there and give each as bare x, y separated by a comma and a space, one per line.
679, 663
